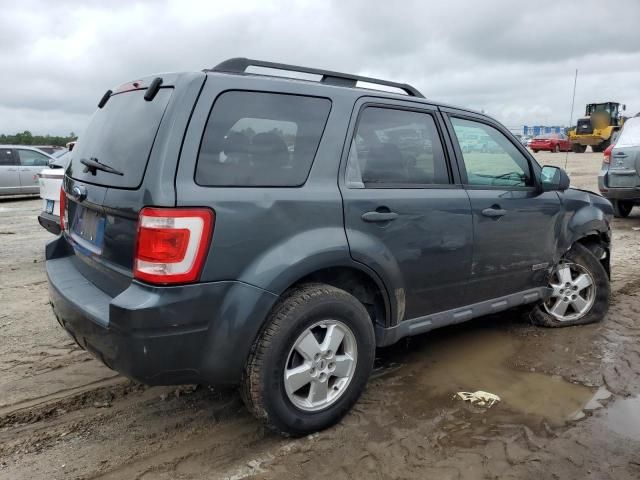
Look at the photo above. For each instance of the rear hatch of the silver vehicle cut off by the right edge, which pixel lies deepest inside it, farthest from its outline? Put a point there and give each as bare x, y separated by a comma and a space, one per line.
624, 170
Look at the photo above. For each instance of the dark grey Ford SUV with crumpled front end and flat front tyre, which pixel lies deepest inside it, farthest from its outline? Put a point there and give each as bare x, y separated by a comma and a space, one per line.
235, 226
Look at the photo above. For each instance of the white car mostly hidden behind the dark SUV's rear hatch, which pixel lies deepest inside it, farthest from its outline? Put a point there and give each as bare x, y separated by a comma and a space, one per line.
50, 180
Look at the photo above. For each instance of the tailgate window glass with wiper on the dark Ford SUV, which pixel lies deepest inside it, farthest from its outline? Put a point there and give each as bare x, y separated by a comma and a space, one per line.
120, 135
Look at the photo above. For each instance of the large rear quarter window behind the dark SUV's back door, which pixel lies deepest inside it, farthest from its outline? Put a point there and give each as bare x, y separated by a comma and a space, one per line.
261, 139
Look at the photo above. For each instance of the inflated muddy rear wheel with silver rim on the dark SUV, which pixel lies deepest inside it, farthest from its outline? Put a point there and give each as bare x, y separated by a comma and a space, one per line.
264, 389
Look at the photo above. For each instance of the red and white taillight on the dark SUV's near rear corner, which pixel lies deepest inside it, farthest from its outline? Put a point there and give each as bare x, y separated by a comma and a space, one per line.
172, 244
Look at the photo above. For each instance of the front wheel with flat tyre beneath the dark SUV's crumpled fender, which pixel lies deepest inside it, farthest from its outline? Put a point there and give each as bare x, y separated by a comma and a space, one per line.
580, 291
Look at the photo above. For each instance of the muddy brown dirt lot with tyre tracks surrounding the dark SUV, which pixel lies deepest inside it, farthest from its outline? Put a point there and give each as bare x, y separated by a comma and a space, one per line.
570, 409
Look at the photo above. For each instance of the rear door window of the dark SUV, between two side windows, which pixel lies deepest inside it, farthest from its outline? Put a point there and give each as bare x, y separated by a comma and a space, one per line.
395, 147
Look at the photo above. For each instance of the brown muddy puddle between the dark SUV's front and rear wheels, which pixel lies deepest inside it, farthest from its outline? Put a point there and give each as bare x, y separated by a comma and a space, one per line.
431, 369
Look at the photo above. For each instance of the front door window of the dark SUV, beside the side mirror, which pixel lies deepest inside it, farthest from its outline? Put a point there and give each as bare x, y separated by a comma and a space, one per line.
490, 159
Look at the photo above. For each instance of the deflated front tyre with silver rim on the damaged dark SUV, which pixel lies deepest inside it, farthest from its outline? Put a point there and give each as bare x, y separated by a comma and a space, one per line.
581, 259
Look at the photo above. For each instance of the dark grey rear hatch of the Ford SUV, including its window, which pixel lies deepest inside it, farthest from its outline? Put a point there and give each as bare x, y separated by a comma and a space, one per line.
125, 160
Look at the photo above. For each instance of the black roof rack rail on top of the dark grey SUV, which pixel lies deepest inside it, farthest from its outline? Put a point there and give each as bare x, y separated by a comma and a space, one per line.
240, 65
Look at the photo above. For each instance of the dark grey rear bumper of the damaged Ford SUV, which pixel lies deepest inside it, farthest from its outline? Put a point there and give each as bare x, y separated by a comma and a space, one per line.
199, 333
